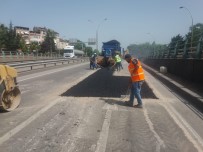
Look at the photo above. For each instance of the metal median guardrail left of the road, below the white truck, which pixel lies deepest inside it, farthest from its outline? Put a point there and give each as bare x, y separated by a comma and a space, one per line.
31, 65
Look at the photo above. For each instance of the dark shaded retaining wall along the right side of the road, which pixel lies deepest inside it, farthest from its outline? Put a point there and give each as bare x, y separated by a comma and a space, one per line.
190, 69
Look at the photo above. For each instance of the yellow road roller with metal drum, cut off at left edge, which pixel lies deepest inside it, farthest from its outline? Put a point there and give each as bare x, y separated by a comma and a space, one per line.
10, 95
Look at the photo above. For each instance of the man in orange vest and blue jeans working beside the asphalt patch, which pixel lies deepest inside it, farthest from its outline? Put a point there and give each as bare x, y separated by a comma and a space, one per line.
136, 80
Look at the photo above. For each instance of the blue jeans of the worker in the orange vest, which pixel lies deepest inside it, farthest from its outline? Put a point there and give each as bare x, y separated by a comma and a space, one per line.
135, 92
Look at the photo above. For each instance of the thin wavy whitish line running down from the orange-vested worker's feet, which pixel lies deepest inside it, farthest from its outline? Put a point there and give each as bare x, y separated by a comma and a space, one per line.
160, 142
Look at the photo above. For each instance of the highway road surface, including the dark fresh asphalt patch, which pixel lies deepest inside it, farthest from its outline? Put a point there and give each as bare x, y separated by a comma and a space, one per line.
72, 108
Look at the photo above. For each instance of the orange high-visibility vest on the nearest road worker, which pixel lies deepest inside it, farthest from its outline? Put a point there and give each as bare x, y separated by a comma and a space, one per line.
138, 74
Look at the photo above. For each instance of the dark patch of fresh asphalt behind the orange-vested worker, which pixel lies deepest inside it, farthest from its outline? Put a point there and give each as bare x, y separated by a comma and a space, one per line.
104, 84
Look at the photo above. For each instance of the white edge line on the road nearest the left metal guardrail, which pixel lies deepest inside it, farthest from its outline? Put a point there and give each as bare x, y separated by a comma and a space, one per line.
20, 79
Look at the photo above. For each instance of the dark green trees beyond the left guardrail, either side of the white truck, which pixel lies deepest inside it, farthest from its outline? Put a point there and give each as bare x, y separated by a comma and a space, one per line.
11, 41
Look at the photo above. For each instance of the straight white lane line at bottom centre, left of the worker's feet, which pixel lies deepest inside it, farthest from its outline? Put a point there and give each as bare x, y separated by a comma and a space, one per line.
101, 144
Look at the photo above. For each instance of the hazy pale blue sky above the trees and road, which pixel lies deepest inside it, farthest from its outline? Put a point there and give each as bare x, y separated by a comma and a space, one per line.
128, 21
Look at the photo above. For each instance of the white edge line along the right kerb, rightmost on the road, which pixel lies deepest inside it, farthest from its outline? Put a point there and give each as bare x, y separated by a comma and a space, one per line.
189, 132
